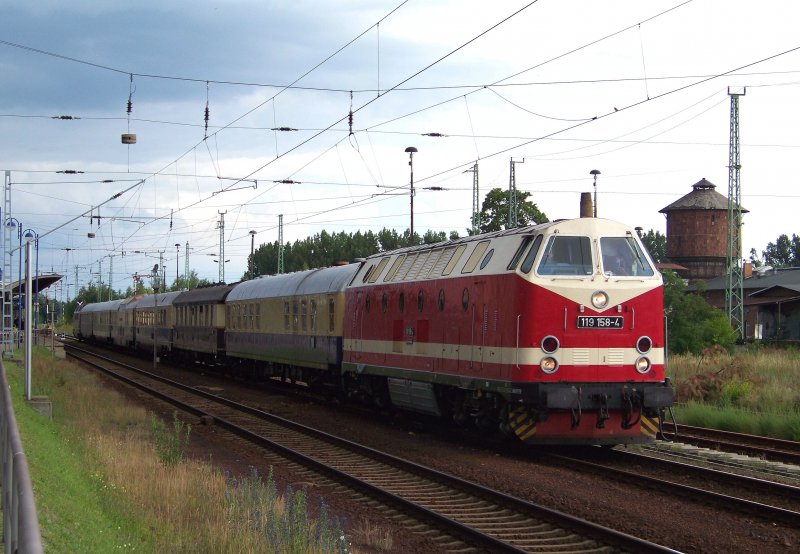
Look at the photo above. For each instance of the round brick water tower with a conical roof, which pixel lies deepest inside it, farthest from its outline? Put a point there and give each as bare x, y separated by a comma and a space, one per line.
697, 231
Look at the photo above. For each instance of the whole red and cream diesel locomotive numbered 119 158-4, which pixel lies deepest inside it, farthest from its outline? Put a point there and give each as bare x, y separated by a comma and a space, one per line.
552, 332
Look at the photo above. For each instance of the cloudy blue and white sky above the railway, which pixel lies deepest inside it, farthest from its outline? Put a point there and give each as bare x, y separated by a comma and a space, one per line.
637, 90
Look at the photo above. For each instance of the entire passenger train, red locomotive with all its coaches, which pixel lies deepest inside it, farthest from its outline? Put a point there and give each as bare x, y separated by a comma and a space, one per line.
549, 334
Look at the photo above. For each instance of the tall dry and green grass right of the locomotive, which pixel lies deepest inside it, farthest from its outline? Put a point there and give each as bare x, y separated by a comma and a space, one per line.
752, 391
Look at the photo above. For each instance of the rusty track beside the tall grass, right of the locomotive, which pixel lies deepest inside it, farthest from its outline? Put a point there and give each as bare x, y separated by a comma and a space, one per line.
752, 445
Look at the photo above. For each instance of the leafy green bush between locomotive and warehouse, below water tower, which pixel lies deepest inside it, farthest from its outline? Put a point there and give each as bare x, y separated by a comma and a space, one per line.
692, 324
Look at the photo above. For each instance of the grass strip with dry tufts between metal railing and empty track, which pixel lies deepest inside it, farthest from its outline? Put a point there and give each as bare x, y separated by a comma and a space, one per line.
102, 484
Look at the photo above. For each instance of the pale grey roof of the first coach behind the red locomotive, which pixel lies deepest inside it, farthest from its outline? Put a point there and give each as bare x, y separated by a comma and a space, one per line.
314, 281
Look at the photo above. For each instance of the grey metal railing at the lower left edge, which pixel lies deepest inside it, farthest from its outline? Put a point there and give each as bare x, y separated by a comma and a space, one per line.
20, 522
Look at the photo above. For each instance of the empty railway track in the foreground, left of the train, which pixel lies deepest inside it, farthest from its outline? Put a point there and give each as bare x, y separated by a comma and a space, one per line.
467, 516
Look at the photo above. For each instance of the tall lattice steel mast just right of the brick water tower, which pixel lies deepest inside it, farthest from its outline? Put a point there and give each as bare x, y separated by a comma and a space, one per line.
734, 304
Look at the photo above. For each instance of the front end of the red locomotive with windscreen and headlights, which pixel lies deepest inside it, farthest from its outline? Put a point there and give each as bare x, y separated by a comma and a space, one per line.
593, 334
